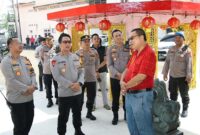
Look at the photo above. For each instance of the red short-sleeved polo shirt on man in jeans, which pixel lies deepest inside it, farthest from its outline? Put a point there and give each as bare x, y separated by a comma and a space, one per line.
144, 63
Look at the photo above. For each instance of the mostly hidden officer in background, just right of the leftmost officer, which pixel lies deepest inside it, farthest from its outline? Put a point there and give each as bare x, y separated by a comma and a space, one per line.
37, 50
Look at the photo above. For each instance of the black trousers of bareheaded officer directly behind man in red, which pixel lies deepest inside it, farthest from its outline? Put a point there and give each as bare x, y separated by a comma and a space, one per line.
115, 90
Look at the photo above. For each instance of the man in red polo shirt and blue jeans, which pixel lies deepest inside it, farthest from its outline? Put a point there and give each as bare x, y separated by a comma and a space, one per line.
137, 83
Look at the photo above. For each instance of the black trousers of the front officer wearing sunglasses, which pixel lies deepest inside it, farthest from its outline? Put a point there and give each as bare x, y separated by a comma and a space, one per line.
64, 106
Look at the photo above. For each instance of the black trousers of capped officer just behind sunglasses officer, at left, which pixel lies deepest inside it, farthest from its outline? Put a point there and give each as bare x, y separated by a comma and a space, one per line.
48, 85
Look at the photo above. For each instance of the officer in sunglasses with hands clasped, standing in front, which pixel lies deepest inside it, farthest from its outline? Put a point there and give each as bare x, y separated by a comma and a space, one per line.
69, 74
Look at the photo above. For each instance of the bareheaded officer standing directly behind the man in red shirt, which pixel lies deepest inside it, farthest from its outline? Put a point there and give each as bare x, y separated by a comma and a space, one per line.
117, 58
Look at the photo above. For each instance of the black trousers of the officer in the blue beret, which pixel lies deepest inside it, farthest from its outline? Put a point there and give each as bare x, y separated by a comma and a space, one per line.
180, 84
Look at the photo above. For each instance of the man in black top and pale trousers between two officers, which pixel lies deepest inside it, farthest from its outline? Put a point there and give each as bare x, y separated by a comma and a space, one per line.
102, 68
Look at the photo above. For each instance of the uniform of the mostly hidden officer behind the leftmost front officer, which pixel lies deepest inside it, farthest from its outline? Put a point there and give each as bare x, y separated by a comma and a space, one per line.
37, 51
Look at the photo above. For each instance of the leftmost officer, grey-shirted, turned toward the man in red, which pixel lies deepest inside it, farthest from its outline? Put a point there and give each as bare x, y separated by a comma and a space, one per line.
20, 85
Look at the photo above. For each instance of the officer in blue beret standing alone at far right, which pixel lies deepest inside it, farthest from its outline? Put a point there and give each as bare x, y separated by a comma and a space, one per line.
179, 65
